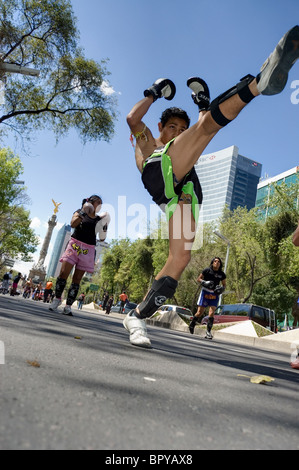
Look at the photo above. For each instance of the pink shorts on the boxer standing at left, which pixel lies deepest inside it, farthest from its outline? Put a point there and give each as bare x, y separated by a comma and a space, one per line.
79, 254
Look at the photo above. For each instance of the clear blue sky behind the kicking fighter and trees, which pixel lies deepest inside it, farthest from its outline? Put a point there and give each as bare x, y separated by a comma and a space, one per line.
221, 41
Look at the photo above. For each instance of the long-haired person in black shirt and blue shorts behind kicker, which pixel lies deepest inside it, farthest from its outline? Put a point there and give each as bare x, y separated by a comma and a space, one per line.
210, 279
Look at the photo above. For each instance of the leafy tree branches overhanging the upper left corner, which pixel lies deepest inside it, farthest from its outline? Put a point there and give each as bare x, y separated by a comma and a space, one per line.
70, 91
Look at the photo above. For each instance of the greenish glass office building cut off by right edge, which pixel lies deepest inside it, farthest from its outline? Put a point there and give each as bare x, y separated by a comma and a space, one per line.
266, 188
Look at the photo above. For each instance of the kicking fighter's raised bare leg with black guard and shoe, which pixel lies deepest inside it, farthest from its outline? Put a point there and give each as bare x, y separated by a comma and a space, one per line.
271, 80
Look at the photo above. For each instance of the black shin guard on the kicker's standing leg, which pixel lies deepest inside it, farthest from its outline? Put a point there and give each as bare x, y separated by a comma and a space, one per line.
162, 289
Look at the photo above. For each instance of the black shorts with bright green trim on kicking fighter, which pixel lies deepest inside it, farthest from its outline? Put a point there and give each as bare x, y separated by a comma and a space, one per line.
159, 181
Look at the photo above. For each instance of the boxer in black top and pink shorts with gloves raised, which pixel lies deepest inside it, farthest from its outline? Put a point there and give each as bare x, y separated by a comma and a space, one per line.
80, 251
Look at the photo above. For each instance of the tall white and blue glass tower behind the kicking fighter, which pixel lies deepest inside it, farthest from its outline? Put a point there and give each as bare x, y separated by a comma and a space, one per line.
227, 179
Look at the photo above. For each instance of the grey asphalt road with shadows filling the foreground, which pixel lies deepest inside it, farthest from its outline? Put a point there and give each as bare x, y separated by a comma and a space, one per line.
93, 390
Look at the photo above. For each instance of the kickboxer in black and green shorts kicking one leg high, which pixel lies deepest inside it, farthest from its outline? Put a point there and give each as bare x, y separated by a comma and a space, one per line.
167, 162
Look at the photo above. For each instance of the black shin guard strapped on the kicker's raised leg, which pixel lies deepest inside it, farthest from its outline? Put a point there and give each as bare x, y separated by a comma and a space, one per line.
241, 89
